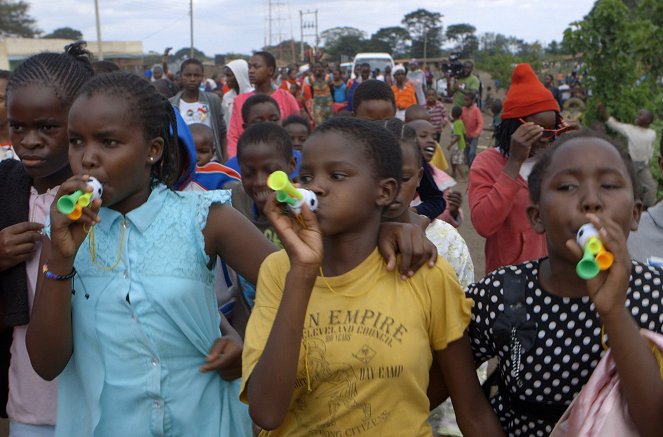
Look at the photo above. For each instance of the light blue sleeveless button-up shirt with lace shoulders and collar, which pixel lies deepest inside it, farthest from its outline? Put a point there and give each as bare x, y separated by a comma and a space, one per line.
142, 329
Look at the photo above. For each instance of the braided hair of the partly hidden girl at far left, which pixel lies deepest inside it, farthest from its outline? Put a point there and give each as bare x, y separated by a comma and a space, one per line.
65, 73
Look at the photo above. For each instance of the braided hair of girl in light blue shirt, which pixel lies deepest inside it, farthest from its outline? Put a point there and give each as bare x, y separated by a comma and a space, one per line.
154, 112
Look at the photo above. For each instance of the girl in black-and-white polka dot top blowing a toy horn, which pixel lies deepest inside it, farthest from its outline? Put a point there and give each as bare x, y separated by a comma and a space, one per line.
555, 346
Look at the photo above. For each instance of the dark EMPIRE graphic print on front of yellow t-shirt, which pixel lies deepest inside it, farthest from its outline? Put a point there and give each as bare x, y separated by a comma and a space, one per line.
357, 337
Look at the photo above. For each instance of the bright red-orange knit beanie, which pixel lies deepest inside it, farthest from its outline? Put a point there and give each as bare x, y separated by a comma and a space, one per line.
527, 95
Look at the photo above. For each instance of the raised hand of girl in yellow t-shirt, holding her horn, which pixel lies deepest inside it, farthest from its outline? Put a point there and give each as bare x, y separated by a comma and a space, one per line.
302, 239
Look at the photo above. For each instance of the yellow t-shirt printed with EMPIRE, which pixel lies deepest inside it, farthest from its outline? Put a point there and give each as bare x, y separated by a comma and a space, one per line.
367, 344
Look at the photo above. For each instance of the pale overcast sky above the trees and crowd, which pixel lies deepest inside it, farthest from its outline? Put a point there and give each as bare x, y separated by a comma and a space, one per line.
222, 26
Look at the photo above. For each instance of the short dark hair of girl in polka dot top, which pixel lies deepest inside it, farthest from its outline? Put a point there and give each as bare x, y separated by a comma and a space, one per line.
535, 179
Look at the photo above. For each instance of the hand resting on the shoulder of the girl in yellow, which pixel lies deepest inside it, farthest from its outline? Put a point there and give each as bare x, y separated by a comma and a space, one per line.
409, 241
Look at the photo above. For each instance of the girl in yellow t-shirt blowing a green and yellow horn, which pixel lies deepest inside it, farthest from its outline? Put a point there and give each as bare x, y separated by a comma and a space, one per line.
338, 344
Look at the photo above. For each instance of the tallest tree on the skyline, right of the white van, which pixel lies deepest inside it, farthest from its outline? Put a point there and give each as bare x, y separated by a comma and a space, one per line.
425, 27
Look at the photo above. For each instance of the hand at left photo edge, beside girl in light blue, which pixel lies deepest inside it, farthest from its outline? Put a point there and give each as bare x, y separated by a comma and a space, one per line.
17, 243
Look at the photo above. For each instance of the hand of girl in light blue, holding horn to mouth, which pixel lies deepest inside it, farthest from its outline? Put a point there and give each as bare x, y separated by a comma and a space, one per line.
67, 234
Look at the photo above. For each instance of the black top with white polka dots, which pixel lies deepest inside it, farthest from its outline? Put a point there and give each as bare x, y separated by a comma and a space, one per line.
567, 346
